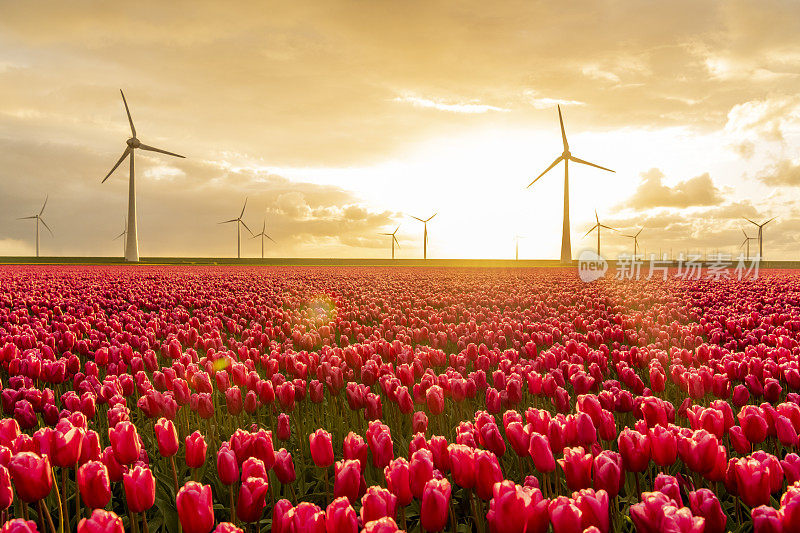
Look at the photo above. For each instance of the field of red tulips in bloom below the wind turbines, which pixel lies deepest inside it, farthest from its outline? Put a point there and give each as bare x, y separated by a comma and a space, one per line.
339, 400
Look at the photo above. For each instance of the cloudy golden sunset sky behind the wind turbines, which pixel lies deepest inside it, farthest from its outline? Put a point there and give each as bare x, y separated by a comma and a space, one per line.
338, 120
